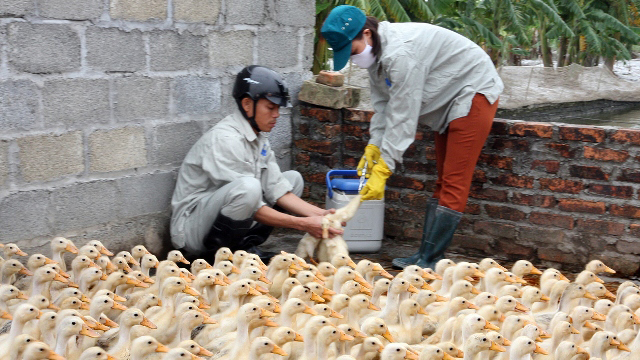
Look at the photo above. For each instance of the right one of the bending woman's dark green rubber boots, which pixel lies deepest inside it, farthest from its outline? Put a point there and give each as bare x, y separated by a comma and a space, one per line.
440, 234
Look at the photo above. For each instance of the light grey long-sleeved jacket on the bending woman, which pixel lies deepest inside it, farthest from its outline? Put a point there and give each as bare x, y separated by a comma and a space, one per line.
426, 73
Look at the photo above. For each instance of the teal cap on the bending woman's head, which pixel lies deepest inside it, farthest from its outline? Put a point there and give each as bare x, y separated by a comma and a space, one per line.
339, 29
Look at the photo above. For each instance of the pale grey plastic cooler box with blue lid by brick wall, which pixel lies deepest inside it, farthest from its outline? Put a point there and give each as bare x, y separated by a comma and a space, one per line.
364, 232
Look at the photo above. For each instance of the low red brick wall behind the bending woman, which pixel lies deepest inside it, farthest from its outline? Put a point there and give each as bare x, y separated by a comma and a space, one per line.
556, 194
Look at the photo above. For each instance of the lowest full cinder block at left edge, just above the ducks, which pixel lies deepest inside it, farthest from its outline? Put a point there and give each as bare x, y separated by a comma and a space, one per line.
24, 215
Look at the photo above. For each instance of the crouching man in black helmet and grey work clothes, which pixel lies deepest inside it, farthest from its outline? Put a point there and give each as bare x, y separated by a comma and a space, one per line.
230, 190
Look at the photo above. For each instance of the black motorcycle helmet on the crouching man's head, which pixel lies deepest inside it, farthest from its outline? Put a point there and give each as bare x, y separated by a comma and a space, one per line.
259, 82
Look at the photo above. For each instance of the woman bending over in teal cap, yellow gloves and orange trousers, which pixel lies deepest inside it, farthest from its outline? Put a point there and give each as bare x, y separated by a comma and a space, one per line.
420, 73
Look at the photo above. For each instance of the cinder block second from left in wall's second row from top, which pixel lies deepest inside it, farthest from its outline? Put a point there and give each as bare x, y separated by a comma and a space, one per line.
115, 50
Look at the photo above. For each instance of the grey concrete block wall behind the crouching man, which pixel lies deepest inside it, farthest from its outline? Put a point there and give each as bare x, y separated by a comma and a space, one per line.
100, 100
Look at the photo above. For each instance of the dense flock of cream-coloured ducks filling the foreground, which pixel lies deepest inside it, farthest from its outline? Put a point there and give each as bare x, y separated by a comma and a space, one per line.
133, 306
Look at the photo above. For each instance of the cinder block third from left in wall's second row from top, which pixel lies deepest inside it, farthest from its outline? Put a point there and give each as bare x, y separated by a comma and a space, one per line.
172, 51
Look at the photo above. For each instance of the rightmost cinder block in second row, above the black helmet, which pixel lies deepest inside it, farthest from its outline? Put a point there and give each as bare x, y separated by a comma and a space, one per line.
277, 49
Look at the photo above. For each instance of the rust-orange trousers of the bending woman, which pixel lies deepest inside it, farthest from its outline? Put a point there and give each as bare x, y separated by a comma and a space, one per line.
457, 152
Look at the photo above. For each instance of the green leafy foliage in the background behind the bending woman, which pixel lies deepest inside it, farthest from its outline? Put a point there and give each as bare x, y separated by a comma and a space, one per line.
582, 30
